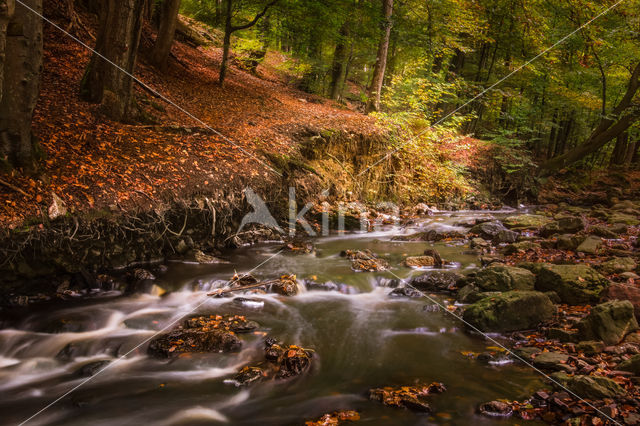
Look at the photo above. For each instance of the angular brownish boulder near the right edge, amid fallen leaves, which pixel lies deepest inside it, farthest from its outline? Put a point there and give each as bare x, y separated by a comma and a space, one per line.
609, 322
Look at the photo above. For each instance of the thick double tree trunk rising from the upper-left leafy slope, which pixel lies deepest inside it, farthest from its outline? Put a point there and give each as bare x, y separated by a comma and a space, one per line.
107, 81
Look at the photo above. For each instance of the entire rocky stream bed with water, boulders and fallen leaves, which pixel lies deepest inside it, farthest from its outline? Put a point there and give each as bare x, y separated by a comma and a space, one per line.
517, 315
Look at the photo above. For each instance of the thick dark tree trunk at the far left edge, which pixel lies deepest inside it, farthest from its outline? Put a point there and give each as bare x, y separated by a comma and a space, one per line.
21, 68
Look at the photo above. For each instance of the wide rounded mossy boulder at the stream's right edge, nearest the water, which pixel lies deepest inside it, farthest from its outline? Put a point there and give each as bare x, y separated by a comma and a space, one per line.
510, 311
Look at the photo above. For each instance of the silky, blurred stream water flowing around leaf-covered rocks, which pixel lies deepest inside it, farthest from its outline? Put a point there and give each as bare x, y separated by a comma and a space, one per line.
362, 338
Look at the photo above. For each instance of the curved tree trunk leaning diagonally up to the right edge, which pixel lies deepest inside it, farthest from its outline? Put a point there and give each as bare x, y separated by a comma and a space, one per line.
617, 122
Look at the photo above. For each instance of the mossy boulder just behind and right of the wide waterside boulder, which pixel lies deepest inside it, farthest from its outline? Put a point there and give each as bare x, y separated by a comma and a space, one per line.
575, 284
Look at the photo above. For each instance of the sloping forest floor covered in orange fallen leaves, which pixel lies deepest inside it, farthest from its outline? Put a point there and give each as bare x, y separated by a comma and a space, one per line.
93, 163
